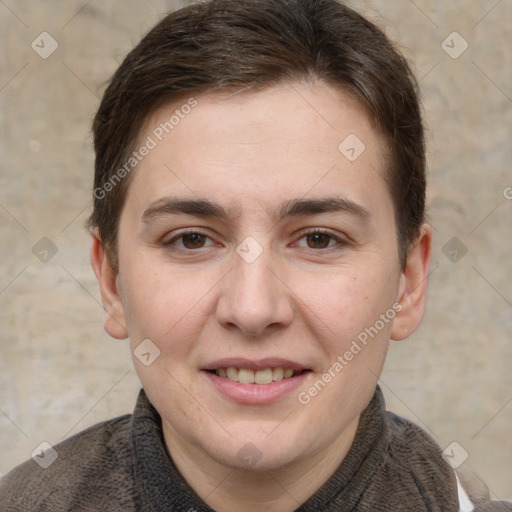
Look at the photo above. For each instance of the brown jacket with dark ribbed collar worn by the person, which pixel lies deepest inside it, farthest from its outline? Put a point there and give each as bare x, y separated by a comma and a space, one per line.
122, 465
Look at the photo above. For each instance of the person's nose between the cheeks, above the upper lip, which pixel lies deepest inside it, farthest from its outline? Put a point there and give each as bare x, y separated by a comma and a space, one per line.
254, 298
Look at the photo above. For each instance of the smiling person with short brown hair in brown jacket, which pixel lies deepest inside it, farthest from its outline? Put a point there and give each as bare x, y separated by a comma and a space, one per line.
259, 234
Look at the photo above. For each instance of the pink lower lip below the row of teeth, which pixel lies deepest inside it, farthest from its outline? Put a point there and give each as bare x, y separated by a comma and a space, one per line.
256, 393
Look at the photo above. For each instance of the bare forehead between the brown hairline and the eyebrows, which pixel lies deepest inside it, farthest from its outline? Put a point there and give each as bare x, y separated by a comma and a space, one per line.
261, 146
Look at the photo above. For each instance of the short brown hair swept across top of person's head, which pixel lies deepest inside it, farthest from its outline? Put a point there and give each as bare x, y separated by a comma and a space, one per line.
223, 44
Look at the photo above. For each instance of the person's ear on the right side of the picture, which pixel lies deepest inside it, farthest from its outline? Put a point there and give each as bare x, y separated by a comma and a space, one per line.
413, 286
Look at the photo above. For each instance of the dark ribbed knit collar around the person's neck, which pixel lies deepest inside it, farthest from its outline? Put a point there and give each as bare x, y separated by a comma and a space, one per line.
163, 489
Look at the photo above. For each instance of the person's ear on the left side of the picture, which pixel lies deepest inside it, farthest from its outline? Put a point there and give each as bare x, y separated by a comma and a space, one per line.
114, 320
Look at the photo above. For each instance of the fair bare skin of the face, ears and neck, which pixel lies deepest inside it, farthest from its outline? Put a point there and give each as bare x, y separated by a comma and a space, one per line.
304, 298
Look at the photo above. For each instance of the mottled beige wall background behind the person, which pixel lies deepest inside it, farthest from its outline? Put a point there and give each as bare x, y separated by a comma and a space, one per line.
59, 372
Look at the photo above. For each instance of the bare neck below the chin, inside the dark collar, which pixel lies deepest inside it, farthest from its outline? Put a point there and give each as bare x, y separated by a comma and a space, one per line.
282, 489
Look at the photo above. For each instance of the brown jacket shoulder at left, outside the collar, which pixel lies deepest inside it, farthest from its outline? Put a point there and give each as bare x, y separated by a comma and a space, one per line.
87, 467
